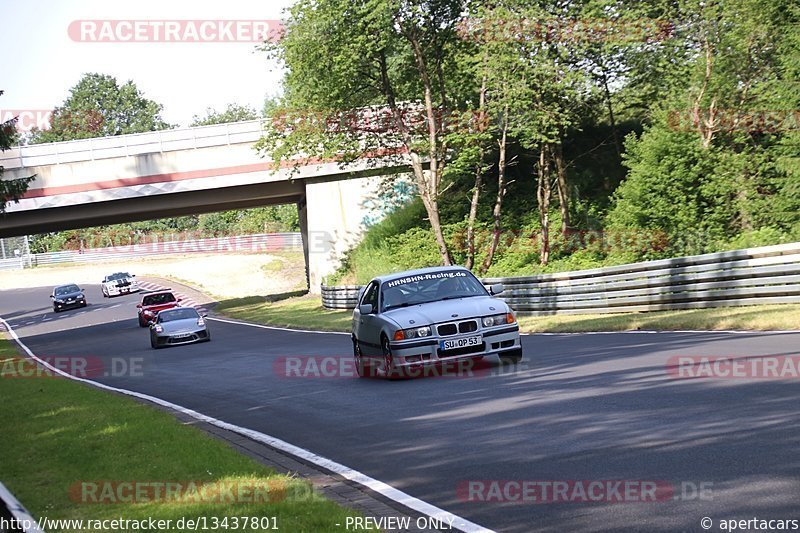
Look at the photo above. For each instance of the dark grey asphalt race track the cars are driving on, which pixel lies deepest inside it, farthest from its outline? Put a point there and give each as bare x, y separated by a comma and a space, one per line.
581, 408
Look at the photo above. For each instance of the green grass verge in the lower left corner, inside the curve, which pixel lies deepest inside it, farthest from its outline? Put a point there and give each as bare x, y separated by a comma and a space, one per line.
63, 440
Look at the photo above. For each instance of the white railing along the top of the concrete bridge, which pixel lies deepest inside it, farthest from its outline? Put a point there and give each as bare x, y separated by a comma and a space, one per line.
133, 144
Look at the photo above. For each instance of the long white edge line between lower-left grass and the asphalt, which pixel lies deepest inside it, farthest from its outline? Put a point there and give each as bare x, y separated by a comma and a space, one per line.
348, 473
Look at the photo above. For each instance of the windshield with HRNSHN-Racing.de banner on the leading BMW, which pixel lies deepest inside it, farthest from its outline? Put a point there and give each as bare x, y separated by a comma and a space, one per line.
425, 288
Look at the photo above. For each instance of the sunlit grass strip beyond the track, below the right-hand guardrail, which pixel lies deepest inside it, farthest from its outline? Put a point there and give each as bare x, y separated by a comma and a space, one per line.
306, 312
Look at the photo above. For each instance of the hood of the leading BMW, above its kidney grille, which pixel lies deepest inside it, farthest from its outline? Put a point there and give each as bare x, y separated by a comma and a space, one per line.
443, 311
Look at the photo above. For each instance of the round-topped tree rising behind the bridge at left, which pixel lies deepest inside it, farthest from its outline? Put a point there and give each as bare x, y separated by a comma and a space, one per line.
98, 106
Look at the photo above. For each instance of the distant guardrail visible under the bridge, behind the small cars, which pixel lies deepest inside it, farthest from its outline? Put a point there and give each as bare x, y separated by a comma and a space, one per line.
243, 244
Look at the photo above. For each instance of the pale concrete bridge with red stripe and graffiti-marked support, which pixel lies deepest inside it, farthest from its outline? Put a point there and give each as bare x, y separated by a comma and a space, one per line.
186, 171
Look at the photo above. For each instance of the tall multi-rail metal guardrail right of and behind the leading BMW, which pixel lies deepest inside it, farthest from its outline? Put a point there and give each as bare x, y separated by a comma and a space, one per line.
764, 275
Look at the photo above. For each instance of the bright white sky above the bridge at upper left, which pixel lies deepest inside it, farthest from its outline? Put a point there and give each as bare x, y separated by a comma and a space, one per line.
41, 62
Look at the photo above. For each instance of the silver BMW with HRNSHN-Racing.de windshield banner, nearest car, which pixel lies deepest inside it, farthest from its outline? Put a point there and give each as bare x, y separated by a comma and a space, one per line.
413, 319
